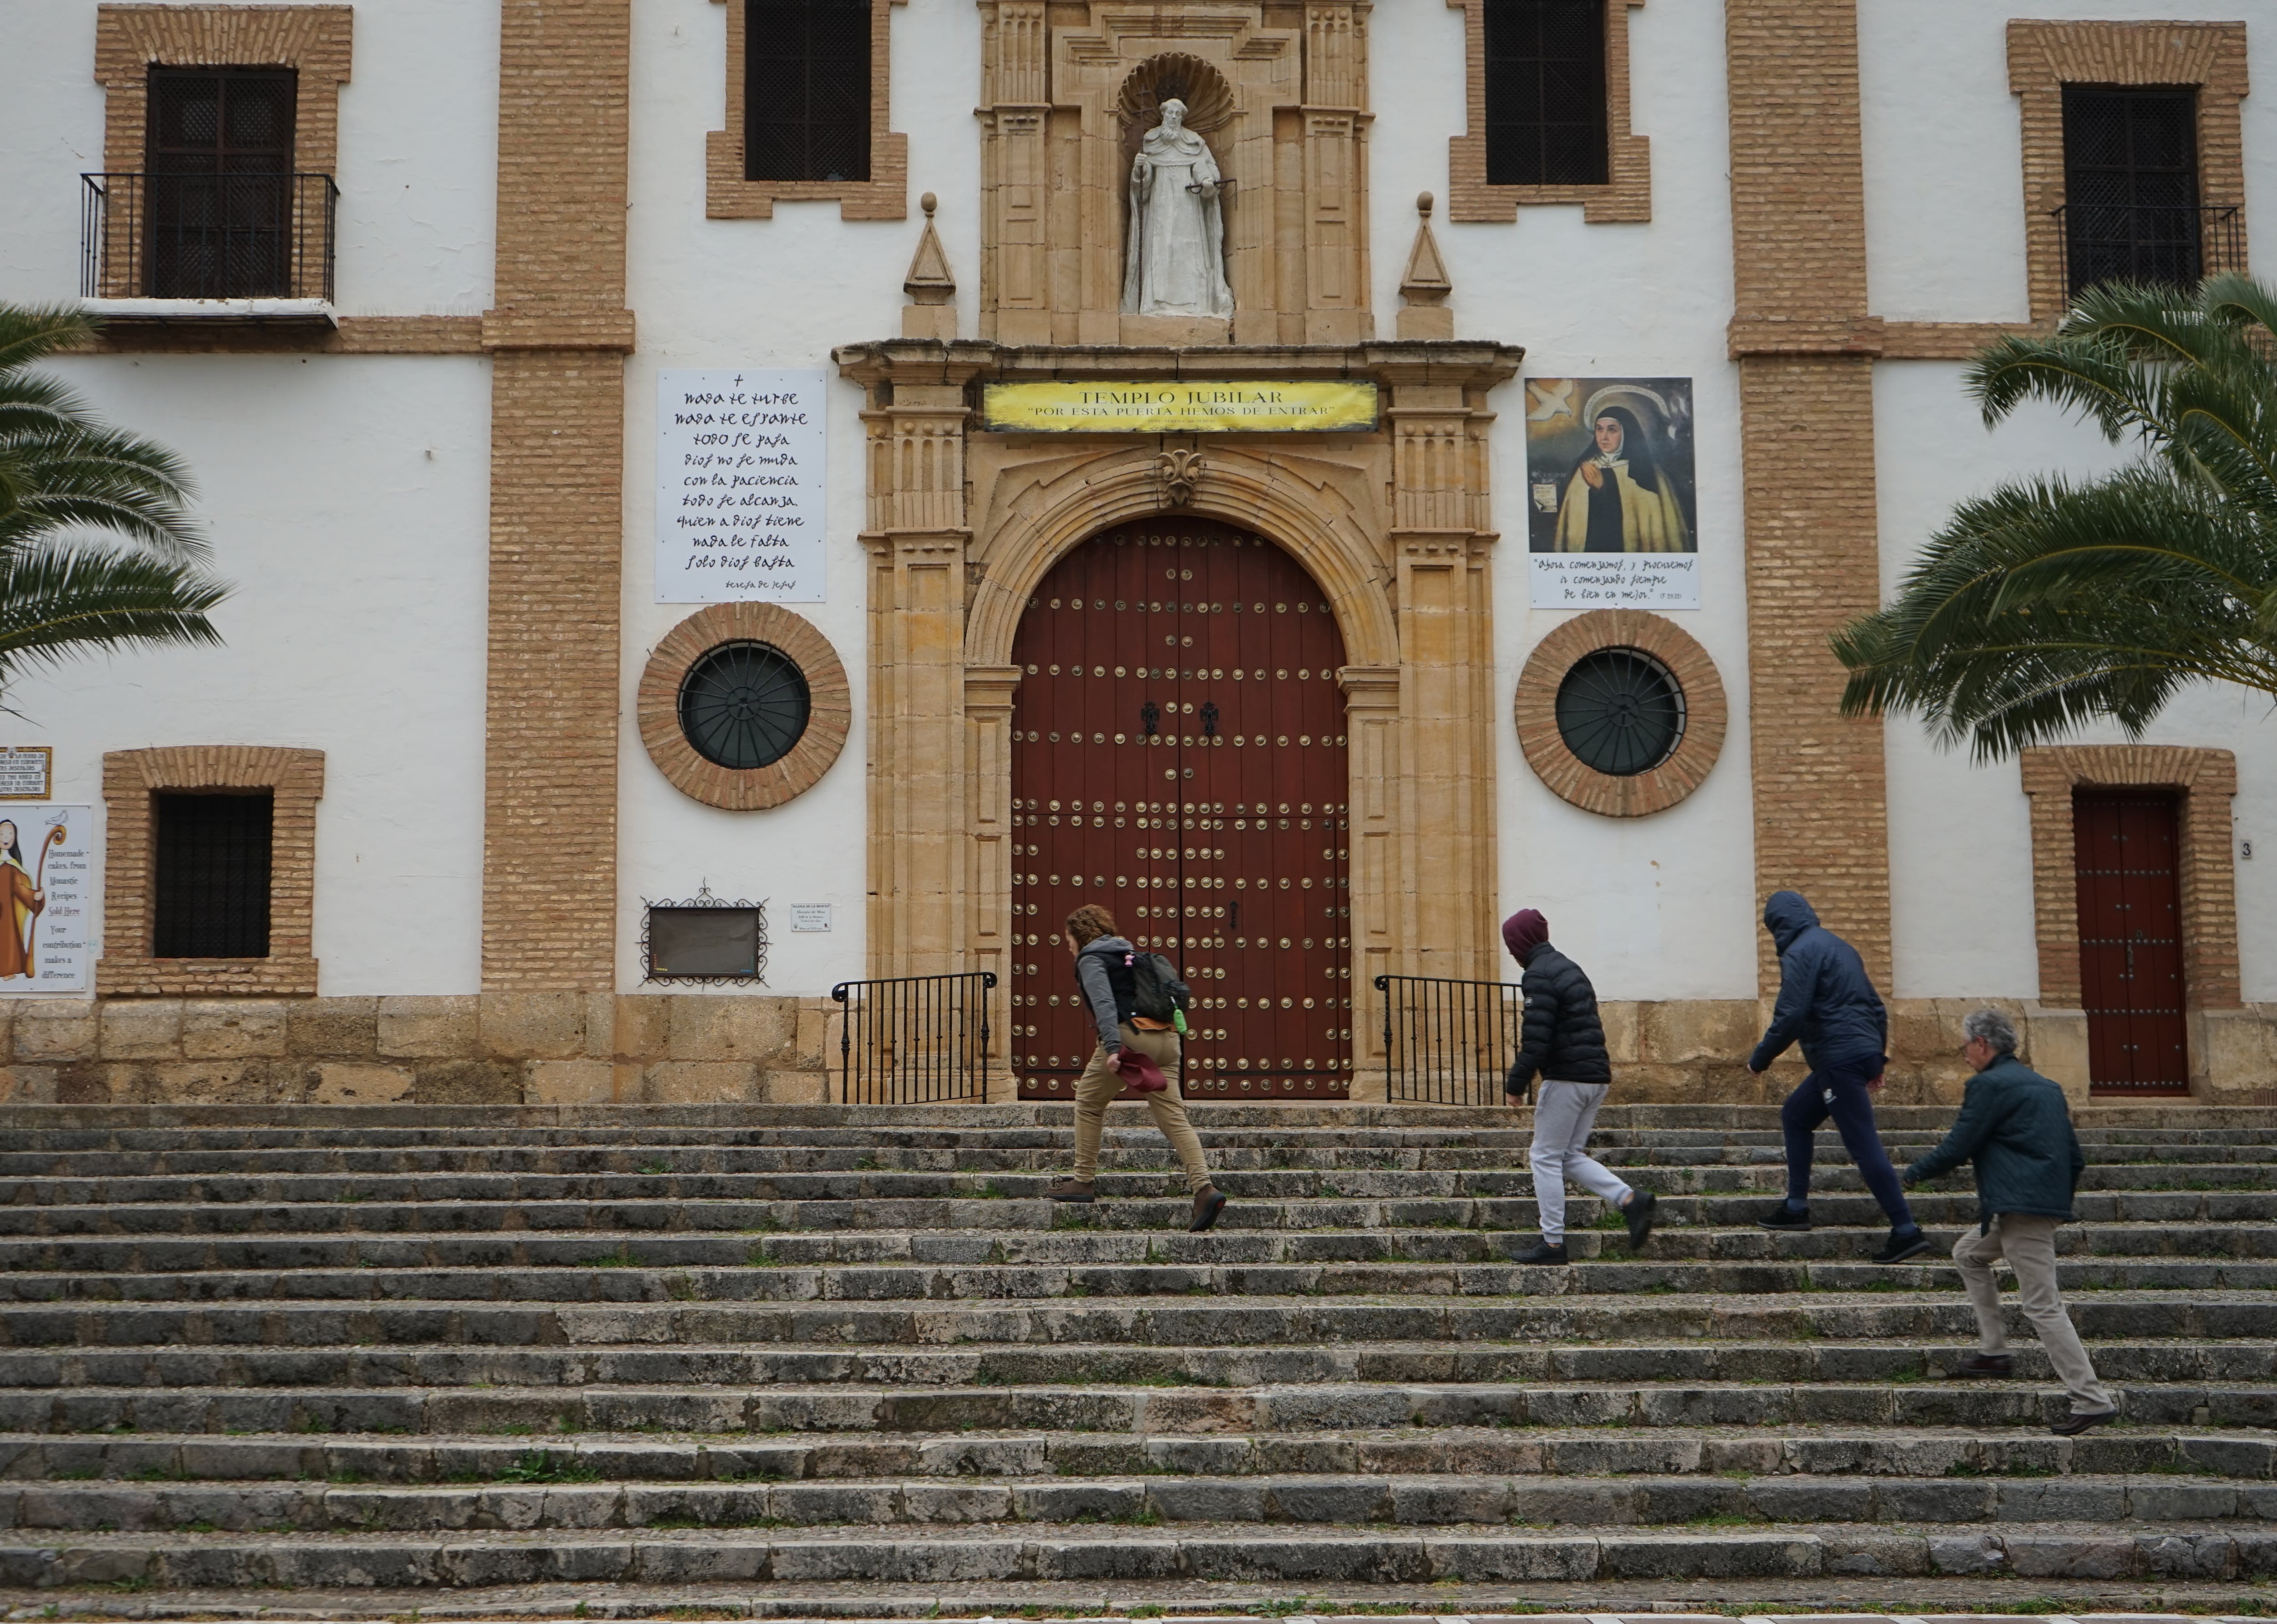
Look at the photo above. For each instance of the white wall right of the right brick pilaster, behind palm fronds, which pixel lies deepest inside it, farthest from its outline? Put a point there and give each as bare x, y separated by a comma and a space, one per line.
1946, 231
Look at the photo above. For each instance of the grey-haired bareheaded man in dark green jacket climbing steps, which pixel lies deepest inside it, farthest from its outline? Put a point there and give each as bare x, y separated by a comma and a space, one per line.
2019, 1131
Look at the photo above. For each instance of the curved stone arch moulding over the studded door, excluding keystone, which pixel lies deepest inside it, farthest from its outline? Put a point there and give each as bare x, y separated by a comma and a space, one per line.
1313, 525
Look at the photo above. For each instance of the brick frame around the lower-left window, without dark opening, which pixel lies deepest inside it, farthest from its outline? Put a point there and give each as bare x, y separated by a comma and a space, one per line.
131, 778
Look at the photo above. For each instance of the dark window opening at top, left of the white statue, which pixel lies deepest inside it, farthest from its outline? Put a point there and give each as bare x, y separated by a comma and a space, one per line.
807, 90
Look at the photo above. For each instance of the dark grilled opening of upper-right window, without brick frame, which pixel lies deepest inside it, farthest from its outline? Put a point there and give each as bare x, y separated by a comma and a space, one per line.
2130, 186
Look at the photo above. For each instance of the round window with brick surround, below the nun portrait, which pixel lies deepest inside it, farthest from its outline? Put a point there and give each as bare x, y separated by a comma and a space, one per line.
1620, 712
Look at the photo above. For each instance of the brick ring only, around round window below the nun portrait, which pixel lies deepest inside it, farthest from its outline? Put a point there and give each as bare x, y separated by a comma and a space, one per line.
1568, 776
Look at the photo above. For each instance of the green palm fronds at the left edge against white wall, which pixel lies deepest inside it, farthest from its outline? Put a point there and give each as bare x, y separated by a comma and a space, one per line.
63, 473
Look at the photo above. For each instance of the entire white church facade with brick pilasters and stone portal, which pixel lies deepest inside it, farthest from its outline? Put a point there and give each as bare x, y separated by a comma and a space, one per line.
732, 500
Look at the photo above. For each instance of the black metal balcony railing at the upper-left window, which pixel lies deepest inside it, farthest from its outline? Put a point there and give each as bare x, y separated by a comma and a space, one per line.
183, 236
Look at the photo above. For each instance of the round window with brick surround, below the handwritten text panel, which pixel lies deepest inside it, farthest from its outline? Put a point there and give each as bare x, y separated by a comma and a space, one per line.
743, 707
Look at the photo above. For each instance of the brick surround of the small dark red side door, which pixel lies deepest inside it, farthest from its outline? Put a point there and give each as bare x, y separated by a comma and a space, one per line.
2210, 887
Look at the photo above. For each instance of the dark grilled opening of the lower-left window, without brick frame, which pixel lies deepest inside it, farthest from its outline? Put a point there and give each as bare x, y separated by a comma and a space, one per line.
211, 892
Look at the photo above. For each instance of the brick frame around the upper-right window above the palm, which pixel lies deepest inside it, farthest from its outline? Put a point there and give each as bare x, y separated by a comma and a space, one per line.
2044, 58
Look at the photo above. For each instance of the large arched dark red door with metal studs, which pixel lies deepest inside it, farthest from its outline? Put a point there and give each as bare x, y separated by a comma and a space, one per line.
1178, 755
